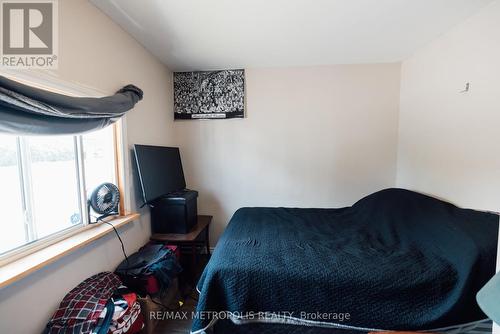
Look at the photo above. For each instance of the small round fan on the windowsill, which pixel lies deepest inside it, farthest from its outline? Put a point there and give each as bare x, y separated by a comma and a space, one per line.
104, 200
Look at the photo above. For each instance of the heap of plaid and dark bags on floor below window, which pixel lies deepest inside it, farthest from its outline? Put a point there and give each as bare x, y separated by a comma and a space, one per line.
109, 303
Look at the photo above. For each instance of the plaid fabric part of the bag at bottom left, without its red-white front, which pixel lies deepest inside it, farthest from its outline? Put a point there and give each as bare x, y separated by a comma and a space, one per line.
79, 311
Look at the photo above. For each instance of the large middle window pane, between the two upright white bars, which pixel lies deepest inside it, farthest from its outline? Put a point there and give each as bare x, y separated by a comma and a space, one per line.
54, 183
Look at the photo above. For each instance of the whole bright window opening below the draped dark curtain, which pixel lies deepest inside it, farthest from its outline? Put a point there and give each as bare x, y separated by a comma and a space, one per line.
45, 182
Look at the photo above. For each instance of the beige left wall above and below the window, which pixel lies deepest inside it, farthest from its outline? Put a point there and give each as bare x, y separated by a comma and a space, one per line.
94, 52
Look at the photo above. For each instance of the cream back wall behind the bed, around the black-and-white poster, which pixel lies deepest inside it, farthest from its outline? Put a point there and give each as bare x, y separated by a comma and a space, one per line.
313, 137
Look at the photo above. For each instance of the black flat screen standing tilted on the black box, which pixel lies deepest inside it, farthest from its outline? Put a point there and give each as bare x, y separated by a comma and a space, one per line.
160, 170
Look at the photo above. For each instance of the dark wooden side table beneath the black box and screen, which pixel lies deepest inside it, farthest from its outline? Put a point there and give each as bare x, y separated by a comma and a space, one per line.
197, 237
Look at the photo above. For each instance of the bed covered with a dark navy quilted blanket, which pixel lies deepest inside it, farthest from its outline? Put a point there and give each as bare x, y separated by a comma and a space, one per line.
395, 260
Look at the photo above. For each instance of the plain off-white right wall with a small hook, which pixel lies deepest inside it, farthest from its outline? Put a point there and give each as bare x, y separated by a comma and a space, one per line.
449, 142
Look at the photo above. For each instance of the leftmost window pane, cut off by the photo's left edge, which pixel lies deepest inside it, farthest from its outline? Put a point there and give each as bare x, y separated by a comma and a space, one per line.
12, 228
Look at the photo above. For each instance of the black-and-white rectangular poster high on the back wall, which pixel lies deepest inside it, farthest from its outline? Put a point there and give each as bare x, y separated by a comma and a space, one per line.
209, 94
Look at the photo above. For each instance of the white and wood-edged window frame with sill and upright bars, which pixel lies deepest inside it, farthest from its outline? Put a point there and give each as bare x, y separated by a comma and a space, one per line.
41, 80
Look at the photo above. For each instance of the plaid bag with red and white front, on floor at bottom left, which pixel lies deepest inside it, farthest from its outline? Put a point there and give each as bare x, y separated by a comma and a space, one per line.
98, 305
